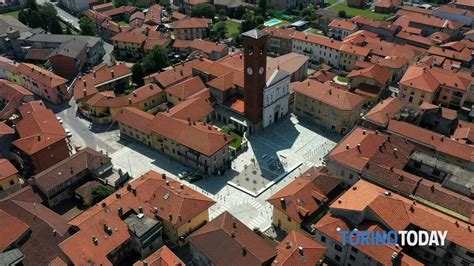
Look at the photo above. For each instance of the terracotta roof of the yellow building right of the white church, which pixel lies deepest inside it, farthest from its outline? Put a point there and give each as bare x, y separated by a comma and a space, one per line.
340, 99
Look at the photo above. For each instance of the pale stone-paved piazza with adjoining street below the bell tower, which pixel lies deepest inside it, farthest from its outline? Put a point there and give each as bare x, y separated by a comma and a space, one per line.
288, 144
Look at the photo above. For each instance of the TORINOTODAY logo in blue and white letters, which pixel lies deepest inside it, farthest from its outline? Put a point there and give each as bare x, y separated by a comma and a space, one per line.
391, 238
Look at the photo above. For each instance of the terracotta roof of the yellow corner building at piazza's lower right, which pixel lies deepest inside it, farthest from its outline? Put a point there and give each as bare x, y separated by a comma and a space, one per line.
304, 196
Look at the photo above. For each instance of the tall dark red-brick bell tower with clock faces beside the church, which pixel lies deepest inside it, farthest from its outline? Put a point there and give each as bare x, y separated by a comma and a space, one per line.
255, 68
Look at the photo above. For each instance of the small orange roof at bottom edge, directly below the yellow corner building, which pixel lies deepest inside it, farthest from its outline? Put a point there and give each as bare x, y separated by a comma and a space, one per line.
298, 249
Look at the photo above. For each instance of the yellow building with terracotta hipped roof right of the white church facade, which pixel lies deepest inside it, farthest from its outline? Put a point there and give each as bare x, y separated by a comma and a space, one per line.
335, 109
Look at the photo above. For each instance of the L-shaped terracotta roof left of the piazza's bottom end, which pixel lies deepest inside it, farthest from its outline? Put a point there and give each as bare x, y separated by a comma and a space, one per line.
181, 204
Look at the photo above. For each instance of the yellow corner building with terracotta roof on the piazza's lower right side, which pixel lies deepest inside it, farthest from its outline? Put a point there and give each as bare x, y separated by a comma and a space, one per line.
298, 204
